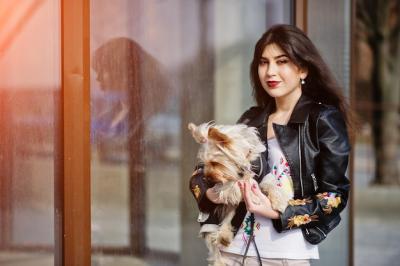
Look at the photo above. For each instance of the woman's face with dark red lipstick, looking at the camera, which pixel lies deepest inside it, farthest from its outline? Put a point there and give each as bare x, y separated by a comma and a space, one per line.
279, 76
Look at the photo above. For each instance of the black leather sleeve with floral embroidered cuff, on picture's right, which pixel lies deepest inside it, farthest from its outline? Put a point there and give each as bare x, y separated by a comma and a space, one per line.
333, 186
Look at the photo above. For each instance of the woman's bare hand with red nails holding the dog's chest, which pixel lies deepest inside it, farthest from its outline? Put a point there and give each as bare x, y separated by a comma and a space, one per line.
261, 204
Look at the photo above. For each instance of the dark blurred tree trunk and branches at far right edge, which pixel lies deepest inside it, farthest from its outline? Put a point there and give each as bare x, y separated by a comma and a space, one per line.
379, 25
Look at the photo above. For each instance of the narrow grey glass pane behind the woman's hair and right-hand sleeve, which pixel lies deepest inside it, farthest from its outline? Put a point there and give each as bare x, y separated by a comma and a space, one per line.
330, 32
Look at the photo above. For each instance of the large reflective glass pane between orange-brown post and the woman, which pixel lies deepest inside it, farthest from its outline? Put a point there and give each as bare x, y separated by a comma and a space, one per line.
157, 65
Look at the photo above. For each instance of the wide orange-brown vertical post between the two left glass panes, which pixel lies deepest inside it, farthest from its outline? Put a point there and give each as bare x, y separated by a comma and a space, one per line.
76, 138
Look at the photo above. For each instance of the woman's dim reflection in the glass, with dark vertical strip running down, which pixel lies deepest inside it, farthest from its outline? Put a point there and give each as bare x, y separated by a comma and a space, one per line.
134, 88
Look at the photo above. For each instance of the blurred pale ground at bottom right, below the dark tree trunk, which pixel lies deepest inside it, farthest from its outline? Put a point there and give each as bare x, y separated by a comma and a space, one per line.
376, 226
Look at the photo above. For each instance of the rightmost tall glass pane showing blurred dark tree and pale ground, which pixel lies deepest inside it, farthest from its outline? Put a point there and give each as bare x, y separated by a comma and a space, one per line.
377, 145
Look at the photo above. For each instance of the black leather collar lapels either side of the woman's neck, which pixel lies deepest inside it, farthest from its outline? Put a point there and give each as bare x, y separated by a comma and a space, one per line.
299, 114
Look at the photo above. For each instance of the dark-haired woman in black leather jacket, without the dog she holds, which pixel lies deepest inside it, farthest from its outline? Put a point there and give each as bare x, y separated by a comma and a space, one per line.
301, 116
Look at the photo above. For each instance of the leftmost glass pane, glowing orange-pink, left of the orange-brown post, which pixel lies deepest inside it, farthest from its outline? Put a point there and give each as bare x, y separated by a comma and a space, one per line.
29, 89
